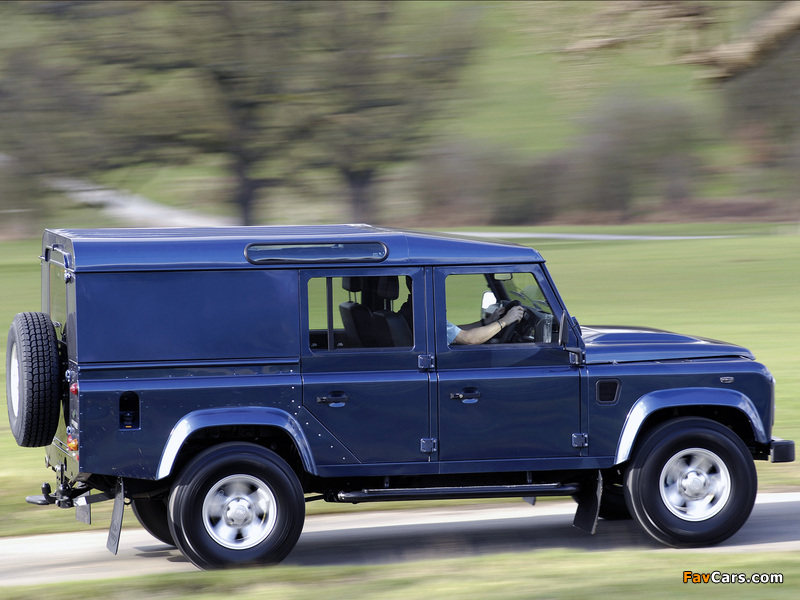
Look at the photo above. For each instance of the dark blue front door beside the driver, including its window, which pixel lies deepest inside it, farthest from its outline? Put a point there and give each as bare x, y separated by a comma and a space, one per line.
502, 400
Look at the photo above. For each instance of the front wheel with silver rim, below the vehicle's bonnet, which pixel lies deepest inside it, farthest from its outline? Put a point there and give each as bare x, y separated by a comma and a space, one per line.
692, 482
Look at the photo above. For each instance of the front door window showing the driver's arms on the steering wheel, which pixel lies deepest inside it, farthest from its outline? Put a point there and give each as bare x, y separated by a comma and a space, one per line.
498, 308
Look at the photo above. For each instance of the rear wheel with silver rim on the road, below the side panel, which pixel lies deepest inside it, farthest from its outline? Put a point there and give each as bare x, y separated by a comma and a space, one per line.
236, 504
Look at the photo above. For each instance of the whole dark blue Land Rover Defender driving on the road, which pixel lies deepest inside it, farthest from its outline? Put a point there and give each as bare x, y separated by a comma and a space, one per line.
219, 379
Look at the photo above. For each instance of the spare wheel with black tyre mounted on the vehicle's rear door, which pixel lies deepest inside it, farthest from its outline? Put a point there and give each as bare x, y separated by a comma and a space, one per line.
32, 379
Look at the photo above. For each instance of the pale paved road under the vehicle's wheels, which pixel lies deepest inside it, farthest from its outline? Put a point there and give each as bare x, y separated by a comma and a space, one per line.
386, 537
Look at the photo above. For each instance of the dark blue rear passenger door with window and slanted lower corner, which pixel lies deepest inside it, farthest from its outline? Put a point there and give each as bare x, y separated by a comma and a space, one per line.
364, 334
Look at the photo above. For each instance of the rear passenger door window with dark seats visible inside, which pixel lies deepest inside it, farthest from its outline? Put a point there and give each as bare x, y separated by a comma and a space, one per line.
360, 312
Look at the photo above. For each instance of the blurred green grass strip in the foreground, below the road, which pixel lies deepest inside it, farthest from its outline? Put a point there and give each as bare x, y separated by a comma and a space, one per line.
547, 574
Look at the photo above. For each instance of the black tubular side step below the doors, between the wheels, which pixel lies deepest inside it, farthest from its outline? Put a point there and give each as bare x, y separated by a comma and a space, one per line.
451, 493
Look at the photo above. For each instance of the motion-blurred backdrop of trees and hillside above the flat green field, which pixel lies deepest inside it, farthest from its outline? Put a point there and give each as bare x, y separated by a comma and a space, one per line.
402, 113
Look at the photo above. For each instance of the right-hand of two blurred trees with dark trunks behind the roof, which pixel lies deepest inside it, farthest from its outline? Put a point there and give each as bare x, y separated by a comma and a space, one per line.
381, 76
